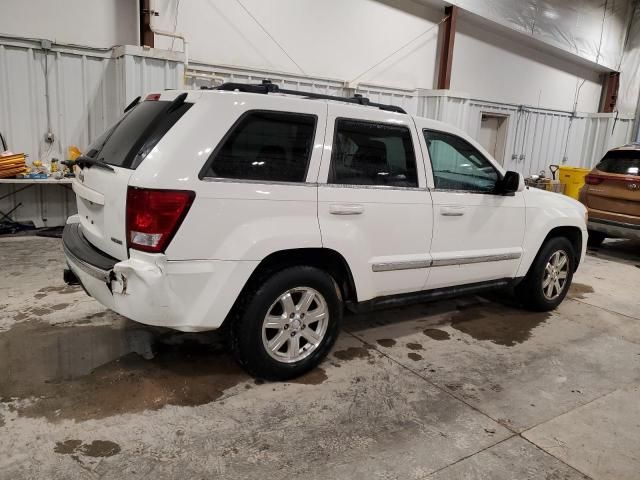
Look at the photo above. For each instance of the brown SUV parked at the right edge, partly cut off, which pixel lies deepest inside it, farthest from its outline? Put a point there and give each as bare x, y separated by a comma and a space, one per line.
612, 195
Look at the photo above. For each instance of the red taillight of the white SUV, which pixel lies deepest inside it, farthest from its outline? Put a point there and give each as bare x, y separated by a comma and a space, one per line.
153, 217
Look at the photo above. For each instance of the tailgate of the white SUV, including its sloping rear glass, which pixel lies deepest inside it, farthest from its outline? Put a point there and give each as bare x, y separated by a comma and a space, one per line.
101, 190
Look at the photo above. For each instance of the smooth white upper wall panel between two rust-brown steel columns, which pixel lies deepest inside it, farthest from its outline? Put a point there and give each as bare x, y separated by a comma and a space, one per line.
328, 38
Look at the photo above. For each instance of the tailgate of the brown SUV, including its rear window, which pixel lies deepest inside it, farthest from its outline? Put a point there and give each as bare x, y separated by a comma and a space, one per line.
612, 191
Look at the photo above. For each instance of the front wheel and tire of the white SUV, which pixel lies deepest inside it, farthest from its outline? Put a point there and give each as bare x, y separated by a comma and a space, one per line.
533, 291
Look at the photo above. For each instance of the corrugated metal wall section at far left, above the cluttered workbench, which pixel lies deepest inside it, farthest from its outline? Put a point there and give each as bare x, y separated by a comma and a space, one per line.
81, 92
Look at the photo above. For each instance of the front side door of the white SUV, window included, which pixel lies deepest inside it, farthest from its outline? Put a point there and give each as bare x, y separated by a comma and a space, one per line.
477, 233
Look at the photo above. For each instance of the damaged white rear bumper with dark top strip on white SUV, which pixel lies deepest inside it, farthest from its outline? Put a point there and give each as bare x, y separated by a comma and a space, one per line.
188, 296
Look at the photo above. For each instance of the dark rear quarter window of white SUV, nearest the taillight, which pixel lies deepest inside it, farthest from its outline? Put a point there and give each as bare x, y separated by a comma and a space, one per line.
270, 146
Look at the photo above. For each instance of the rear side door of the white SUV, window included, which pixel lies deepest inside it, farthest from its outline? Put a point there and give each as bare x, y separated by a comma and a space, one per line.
373, 204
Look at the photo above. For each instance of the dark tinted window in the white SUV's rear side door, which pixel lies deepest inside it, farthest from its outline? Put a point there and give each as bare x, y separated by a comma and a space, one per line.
367, 153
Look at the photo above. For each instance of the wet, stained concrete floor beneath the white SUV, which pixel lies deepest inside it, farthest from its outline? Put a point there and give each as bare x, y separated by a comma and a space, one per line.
469, 388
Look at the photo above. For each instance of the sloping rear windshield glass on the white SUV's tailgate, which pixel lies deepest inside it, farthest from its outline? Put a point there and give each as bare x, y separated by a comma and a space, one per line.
130, 140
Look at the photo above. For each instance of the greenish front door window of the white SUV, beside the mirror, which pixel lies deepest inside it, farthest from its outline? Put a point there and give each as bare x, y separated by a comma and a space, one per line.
457, 165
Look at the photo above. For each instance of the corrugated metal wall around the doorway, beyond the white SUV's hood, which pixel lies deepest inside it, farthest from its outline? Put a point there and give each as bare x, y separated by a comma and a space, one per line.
536, 138
